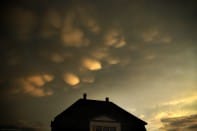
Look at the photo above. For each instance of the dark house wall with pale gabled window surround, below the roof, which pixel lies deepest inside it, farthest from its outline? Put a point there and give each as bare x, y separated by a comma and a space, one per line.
83, 125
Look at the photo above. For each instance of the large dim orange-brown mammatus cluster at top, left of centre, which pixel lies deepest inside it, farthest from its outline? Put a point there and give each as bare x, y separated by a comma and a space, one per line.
72, 33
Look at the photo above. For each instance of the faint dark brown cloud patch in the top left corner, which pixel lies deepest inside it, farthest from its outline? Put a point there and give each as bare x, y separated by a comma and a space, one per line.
21, 22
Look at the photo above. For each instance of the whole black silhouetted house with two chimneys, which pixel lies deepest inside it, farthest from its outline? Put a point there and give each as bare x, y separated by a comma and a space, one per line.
93, 115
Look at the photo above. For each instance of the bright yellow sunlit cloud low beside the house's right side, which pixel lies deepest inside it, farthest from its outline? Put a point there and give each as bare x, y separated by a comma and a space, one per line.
174, 108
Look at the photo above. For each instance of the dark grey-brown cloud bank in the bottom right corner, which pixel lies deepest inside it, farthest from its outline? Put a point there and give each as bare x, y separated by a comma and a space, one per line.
185, 123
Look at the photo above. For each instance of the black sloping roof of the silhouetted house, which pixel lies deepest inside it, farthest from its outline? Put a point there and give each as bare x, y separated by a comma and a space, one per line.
85, 109
